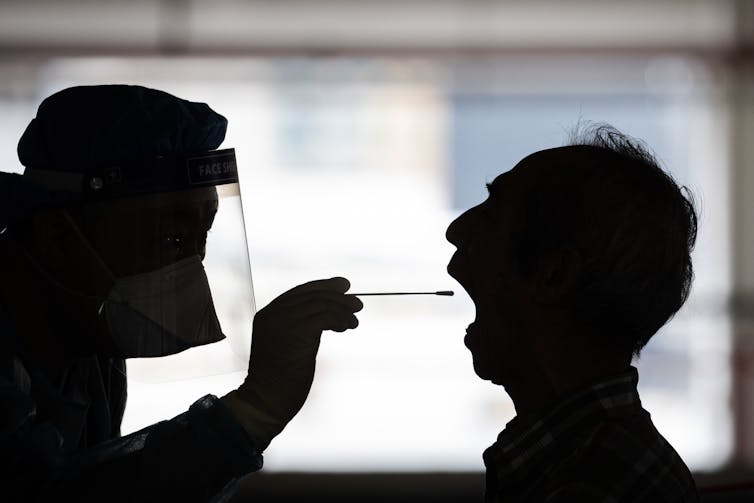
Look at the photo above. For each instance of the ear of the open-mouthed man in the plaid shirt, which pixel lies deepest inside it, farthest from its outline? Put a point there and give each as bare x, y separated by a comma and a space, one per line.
557, 276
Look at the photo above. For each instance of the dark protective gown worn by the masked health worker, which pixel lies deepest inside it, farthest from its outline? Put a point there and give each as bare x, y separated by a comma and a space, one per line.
60, 440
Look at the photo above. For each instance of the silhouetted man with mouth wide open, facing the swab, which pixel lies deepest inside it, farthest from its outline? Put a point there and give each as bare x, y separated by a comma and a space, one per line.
577, 257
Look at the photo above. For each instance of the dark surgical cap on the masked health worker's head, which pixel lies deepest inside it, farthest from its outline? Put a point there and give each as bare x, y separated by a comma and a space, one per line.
82, 127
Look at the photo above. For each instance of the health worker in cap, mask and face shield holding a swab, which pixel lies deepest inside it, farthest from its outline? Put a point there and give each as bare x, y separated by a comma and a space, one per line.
102, 243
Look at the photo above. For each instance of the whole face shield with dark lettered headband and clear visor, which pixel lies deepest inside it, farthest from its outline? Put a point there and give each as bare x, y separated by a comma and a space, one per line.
170, 234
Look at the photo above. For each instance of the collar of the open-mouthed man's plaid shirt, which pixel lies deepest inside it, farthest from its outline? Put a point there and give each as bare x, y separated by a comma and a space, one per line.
521, 444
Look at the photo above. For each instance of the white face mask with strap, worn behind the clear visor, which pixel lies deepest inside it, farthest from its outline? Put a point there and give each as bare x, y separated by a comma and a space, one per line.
161, 312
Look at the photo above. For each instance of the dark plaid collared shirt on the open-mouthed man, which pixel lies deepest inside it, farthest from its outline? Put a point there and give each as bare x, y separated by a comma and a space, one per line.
597, 445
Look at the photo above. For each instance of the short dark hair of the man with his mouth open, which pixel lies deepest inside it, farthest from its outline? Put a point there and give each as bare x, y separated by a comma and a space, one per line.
632, 224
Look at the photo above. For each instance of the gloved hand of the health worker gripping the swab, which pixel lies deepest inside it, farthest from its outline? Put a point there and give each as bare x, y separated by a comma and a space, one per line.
284, 346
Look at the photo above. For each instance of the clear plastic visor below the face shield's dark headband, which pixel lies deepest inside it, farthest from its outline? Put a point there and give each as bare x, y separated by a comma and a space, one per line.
159, 250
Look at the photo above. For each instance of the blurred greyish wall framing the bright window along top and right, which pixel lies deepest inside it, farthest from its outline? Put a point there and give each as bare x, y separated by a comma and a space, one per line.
719, 34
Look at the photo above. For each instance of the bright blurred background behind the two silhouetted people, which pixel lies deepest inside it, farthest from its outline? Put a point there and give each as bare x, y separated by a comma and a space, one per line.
362, 128
